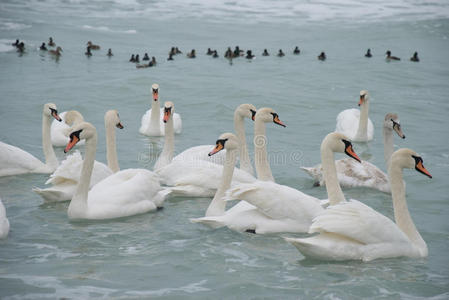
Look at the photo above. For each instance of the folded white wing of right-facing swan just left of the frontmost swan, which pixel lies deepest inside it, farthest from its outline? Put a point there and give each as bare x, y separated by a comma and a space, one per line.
277, 201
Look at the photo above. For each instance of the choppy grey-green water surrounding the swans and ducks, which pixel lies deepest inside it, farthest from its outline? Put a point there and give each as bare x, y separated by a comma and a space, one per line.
162, 254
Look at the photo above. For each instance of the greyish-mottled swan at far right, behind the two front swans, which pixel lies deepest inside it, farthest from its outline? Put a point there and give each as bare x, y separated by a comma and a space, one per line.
353, 174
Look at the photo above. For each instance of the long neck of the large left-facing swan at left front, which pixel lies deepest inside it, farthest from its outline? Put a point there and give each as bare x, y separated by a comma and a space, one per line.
78, 204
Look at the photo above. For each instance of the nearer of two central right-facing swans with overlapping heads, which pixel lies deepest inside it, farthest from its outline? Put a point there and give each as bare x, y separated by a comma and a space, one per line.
200, 178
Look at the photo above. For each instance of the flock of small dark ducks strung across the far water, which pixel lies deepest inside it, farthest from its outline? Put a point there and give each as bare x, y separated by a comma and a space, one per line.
229, 53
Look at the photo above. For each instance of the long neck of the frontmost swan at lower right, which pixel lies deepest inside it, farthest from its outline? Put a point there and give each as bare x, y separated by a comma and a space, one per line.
401, 213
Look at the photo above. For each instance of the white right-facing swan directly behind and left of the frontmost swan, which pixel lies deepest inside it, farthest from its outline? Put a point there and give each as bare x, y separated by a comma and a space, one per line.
281, 208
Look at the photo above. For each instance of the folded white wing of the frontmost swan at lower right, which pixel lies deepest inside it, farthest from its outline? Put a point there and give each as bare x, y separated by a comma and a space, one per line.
359, 222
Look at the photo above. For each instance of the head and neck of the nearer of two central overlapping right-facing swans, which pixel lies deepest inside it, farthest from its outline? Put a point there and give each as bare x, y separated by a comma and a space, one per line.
263, 115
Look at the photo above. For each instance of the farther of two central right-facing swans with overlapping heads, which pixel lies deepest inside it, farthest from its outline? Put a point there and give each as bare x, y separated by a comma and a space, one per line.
201, 152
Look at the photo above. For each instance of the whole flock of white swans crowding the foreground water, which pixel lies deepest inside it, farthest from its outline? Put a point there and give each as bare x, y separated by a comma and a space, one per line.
344, 230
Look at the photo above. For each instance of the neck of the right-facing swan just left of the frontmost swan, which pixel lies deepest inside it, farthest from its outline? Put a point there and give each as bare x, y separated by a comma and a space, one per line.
334, 192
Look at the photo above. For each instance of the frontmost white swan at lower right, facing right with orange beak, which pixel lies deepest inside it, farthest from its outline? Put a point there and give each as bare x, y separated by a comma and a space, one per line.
353, 231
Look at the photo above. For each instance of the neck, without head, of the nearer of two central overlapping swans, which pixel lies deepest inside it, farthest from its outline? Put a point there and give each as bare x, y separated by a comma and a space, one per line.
263, 169
